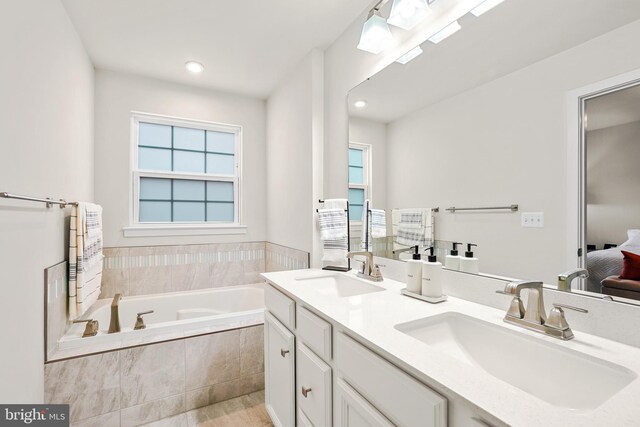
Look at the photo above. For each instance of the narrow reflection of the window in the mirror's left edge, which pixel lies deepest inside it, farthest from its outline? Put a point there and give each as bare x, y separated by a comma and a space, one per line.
359, 178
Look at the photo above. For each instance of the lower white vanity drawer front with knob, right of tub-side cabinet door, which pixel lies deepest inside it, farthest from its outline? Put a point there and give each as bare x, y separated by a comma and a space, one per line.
313, 388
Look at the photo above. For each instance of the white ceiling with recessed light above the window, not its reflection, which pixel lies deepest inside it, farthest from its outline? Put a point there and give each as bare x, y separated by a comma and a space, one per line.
246, 46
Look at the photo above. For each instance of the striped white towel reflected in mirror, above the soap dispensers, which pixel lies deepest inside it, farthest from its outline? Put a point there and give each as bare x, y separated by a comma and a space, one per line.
412, 227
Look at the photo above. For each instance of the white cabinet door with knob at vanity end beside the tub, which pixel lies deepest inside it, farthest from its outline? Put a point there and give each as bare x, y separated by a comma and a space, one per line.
279, 353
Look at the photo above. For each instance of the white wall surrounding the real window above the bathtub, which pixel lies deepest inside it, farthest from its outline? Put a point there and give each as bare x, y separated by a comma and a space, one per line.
118, 94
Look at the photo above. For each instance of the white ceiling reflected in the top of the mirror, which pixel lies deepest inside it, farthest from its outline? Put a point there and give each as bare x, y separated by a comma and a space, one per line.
512, 36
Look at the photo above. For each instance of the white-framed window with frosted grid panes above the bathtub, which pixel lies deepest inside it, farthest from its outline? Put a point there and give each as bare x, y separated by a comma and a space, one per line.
185, 173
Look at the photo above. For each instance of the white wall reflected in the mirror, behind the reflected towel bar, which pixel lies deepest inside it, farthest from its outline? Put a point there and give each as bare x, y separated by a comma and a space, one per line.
511, 149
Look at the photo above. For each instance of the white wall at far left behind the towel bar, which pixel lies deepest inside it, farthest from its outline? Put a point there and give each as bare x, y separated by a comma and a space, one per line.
46, 149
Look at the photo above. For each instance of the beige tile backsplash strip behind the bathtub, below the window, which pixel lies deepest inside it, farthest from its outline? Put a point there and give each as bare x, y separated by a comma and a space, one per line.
158, 269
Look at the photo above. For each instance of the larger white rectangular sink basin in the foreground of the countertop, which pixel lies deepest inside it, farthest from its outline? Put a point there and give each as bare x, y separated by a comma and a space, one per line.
557, 375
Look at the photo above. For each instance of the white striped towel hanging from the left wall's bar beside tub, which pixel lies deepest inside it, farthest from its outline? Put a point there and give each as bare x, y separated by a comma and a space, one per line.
85, 257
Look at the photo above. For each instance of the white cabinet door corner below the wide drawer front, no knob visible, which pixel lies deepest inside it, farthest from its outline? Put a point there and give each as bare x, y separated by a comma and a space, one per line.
355, 411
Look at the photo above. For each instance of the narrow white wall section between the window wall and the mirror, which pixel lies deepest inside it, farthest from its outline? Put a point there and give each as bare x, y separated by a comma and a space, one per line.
294, 135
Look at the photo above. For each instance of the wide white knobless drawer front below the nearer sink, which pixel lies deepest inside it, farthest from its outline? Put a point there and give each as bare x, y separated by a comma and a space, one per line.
398, 396
